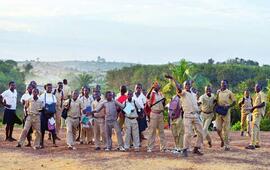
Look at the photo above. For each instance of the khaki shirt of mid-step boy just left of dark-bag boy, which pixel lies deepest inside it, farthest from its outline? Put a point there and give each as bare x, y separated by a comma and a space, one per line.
207, 103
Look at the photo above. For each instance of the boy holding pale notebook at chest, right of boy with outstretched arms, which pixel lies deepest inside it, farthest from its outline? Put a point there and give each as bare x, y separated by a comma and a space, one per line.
131, 123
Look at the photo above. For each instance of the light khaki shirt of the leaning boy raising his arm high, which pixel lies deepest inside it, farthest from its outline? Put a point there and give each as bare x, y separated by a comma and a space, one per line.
189, 102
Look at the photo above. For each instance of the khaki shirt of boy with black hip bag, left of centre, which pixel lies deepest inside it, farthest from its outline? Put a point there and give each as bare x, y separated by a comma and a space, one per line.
74, 109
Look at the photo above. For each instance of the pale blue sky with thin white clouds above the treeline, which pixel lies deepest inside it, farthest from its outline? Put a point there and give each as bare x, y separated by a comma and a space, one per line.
138, 31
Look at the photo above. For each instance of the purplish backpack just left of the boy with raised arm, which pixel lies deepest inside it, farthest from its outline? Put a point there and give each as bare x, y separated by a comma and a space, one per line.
175, 111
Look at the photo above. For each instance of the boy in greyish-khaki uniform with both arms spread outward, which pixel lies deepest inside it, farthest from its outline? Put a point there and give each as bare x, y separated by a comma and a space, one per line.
110, 105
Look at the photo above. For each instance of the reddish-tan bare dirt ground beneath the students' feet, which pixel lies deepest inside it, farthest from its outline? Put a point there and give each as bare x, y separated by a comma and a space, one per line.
85, 157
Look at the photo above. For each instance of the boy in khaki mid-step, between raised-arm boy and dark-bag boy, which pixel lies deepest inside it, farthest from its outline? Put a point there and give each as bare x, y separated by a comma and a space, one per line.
207, 103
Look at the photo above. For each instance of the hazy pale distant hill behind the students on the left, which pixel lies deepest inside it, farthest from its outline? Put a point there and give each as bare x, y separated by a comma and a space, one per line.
44, 72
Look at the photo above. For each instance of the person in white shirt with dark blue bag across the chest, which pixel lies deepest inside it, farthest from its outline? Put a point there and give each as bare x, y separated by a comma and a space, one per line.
47, 116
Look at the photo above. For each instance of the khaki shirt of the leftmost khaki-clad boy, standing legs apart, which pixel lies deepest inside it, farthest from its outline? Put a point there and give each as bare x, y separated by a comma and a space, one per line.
33, 106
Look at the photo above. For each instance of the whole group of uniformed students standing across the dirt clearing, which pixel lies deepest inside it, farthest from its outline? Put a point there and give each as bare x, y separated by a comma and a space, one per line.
90, 118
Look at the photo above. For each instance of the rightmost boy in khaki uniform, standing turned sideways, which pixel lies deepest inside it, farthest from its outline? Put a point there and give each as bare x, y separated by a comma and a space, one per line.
258, 110
